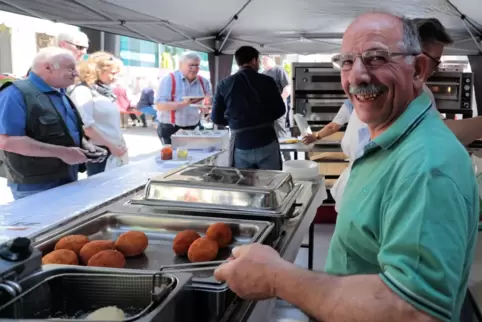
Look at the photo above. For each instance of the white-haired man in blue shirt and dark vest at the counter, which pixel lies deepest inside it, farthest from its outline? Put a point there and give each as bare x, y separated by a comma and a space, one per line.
53, 69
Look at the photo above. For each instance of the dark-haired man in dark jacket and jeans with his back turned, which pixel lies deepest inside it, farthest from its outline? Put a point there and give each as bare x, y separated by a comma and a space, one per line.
250, 103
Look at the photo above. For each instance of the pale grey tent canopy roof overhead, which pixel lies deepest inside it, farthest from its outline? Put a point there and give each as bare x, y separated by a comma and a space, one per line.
272, 26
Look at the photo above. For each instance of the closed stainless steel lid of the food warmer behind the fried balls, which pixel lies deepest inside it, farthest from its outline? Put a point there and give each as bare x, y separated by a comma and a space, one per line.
210, 187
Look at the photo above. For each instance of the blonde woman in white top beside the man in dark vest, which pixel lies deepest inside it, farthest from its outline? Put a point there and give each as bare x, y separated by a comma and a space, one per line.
96, 102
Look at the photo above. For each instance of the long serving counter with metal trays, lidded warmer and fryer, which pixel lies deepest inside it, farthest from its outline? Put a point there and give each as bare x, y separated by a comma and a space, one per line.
159, 200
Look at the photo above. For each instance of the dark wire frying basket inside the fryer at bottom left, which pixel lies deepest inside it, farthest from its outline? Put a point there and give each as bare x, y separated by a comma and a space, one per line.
74, 295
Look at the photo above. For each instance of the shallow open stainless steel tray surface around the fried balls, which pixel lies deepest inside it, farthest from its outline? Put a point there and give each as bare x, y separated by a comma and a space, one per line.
161, 230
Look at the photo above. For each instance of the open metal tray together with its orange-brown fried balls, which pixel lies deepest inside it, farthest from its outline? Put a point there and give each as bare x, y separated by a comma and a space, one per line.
161, 231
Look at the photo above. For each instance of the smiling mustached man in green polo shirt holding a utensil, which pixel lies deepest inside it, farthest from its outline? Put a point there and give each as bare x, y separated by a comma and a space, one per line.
405, 237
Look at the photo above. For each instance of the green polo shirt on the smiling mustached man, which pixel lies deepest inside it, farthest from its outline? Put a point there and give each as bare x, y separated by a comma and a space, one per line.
410, 212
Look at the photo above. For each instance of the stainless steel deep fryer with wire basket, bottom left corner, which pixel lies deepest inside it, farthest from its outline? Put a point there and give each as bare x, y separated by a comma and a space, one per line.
64, 292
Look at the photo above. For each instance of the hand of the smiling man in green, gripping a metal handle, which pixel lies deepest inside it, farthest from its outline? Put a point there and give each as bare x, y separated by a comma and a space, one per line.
252, 271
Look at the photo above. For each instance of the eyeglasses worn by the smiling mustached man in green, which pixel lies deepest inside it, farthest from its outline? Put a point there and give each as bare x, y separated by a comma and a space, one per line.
371, 58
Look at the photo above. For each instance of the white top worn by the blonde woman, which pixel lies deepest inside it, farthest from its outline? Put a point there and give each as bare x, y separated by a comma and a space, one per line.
98, 110
